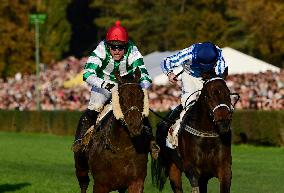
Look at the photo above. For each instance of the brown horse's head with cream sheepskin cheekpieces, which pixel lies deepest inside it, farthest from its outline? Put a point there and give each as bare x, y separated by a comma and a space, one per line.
130, 102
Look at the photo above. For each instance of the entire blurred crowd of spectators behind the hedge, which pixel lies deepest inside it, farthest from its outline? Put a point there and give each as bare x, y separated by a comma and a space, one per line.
264, 91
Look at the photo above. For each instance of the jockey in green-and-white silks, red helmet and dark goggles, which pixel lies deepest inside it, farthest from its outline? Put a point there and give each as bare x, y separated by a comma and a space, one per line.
115, 53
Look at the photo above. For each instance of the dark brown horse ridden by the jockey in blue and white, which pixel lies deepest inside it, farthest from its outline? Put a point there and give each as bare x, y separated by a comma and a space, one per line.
204, 149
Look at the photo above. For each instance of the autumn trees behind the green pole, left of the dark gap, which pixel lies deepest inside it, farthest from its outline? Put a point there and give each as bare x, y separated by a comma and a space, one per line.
18, 38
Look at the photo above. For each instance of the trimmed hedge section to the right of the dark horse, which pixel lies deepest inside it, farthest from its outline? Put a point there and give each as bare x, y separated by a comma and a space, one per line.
259, 127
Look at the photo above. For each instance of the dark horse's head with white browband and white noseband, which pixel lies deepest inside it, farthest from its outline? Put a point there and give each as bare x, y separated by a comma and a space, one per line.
217, 97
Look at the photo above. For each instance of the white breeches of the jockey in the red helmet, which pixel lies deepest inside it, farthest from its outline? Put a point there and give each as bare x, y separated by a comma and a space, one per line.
98, 98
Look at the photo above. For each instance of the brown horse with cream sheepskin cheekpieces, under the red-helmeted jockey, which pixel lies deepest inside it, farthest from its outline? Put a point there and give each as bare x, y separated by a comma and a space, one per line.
117, 153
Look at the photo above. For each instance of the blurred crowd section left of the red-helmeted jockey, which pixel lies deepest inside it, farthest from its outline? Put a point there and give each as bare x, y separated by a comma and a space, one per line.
20, 92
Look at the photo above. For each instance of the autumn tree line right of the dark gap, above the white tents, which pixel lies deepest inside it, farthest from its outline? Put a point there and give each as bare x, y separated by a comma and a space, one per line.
254, 27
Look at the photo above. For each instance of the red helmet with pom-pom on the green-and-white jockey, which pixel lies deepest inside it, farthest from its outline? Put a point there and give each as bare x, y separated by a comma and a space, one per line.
117, 33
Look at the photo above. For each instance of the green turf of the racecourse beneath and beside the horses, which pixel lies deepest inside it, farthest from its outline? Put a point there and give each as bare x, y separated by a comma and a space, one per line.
42, 163
